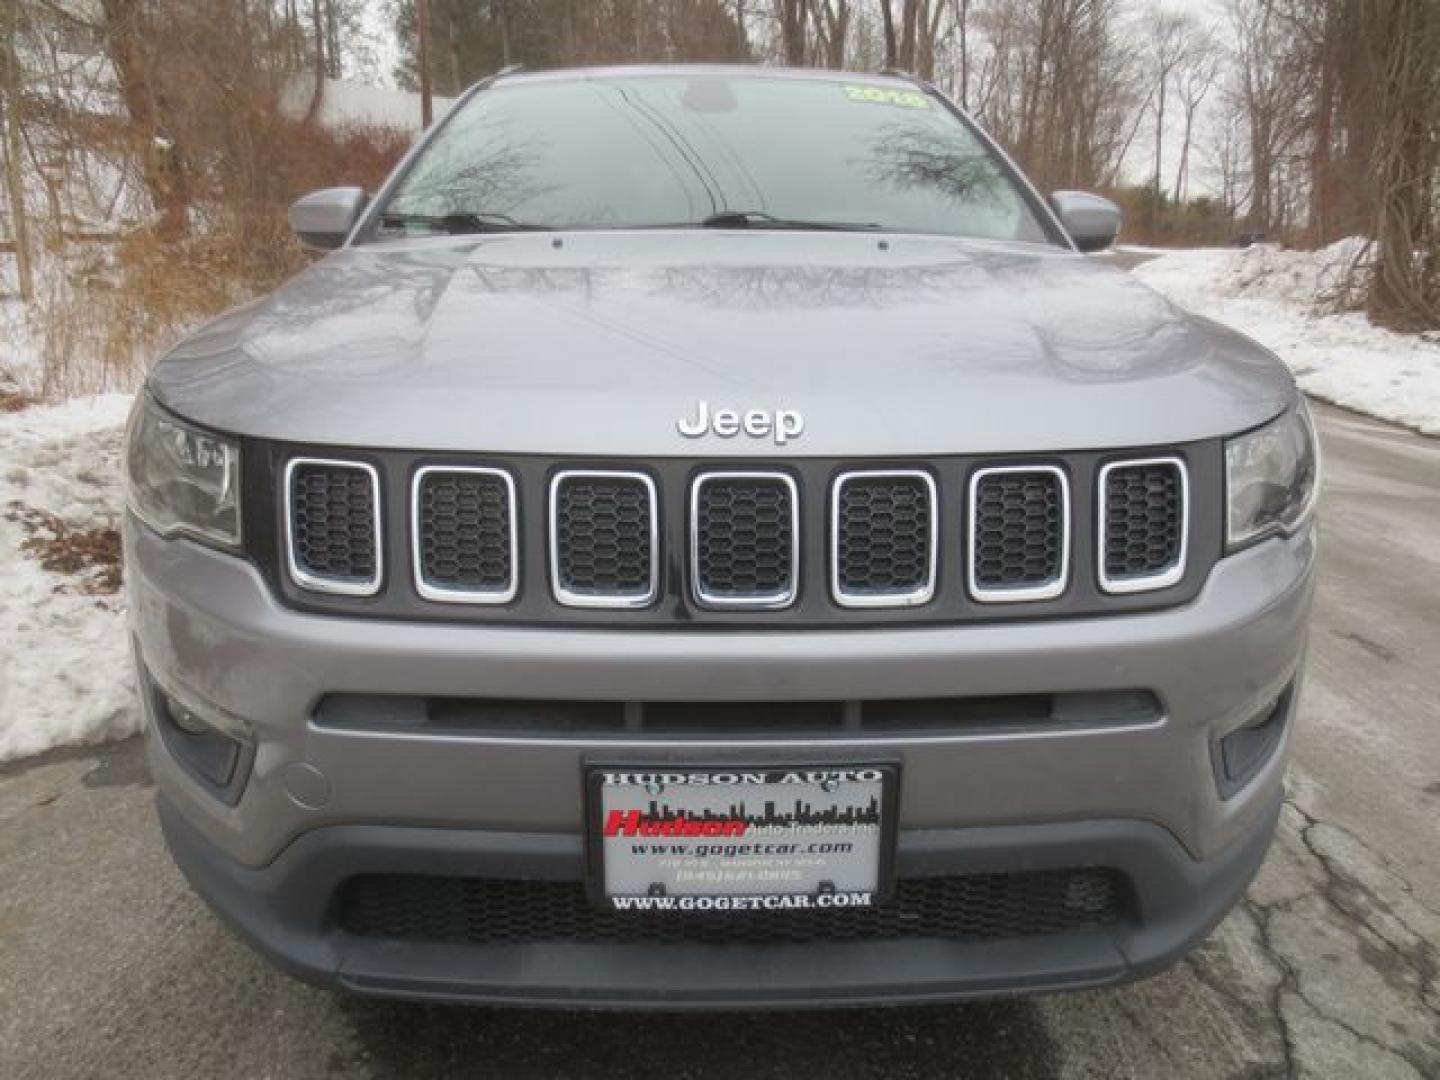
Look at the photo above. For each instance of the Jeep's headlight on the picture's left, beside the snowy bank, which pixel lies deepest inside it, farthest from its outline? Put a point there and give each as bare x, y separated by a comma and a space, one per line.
181, 479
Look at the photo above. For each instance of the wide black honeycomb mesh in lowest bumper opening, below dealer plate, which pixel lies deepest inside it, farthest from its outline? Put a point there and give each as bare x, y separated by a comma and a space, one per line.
493, 912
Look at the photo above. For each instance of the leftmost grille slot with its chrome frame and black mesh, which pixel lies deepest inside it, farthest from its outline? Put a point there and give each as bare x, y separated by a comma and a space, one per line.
333, 526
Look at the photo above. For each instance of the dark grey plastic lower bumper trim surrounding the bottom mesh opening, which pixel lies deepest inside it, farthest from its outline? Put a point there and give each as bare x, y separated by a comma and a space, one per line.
283, 909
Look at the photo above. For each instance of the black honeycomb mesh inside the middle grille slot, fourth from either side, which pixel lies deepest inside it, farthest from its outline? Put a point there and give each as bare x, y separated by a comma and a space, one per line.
745, 536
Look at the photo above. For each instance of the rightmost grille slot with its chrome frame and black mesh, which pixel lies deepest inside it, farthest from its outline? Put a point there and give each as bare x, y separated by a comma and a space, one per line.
1143, 531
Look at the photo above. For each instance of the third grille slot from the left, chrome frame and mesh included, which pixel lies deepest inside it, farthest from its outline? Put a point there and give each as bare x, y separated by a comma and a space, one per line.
604, 539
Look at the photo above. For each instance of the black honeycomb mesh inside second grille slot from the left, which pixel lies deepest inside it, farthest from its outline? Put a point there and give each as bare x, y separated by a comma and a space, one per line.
464, 522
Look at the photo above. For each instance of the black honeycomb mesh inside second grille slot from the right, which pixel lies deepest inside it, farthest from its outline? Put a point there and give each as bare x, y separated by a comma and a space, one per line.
1019, 531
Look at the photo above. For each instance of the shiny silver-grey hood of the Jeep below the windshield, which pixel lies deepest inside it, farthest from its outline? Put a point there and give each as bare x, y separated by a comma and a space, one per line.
600, 343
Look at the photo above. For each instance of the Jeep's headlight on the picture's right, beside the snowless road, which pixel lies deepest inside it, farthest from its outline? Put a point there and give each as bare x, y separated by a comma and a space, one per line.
1272, 479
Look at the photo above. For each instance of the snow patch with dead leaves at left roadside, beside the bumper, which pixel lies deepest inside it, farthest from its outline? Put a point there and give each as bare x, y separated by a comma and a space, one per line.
66, 675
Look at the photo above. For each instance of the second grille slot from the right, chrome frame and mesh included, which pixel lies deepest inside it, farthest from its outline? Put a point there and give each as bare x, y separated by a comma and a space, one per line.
1020, 534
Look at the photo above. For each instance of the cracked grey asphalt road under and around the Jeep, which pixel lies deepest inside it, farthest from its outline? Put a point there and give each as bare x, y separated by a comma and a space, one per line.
110, 967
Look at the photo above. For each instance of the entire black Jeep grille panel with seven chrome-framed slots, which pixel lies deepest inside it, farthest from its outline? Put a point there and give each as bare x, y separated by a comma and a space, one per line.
678, 542
